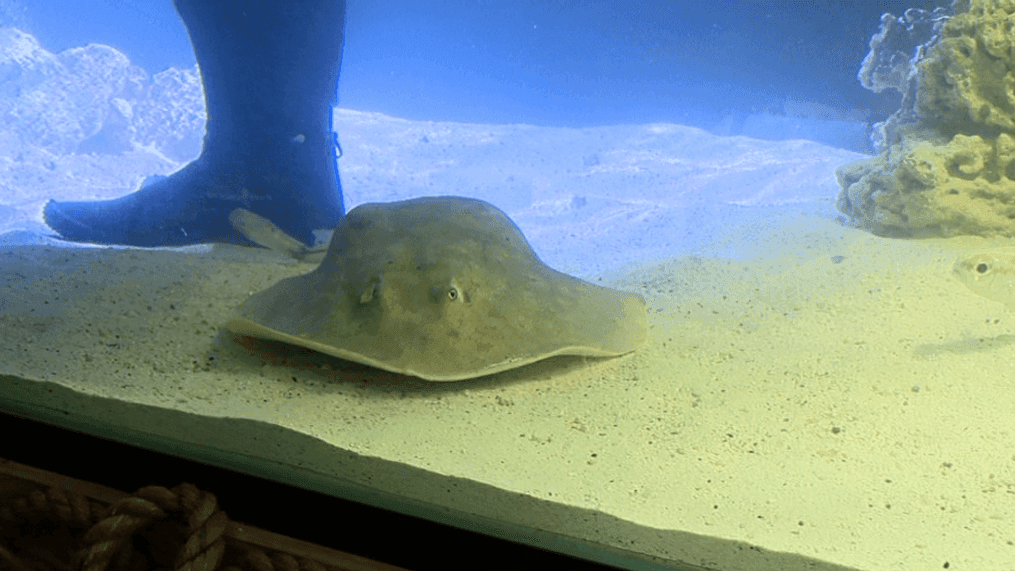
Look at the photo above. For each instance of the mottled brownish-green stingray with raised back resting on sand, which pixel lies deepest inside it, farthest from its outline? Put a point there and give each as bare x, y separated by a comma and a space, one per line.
442, 289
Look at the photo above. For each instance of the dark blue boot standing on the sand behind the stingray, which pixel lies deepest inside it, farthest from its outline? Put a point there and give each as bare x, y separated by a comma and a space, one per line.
270, 74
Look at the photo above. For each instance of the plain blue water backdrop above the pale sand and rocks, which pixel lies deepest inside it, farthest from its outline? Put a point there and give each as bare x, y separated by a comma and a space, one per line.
725, 66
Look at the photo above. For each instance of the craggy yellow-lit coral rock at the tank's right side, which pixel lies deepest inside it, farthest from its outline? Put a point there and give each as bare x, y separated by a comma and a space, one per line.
948, 162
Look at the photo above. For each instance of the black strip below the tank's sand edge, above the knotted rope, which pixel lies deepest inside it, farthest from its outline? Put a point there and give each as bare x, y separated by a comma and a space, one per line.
350, 527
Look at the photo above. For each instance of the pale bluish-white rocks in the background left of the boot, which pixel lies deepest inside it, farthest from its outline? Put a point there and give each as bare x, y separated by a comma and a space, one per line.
93, 101
